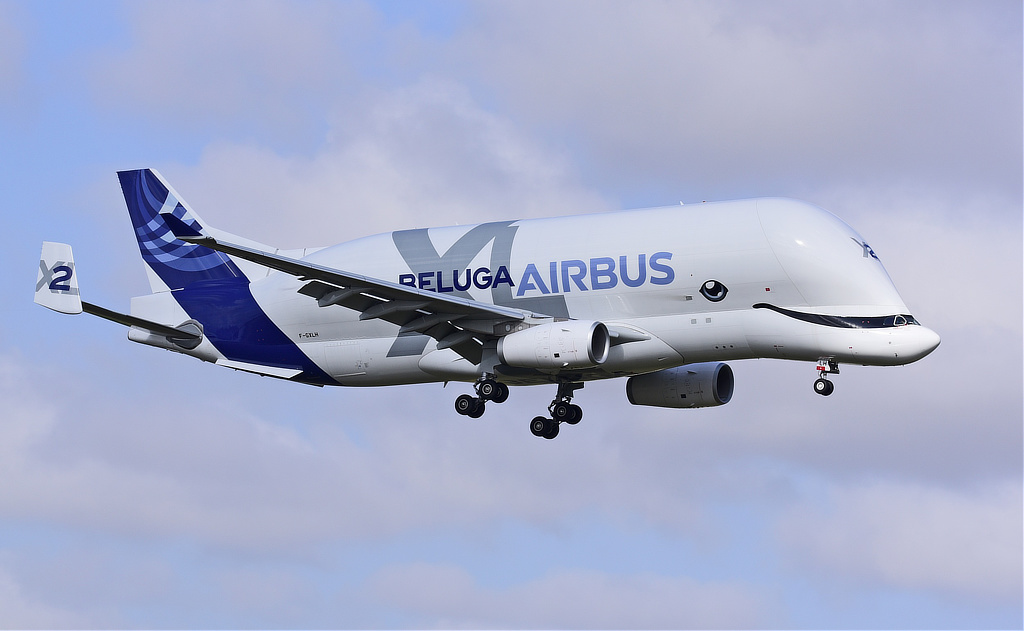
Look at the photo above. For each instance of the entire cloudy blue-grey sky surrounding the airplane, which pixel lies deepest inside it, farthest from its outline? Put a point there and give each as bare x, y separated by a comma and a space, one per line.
144, 489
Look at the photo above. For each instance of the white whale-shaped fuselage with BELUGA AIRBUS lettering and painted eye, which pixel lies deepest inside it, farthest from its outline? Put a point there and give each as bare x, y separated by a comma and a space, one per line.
641, 273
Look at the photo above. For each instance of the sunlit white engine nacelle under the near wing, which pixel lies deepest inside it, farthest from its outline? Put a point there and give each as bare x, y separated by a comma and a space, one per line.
574, 344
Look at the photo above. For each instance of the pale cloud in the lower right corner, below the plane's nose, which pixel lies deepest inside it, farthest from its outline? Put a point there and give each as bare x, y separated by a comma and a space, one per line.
965, 544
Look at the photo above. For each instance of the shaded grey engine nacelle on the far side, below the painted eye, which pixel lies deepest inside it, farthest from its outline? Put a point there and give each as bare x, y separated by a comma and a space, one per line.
696, 386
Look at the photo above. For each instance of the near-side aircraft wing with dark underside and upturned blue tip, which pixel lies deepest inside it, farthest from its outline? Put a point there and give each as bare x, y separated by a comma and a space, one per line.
456, 323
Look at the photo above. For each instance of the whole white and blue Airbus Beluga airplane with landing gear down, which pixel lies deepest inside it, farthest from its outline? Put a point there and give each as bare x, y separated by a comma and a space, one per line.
661, 297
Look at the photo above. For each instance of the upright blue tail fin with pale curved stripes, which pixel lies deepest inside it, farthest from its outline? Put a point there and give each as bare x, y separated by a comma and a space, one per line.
172, 264
